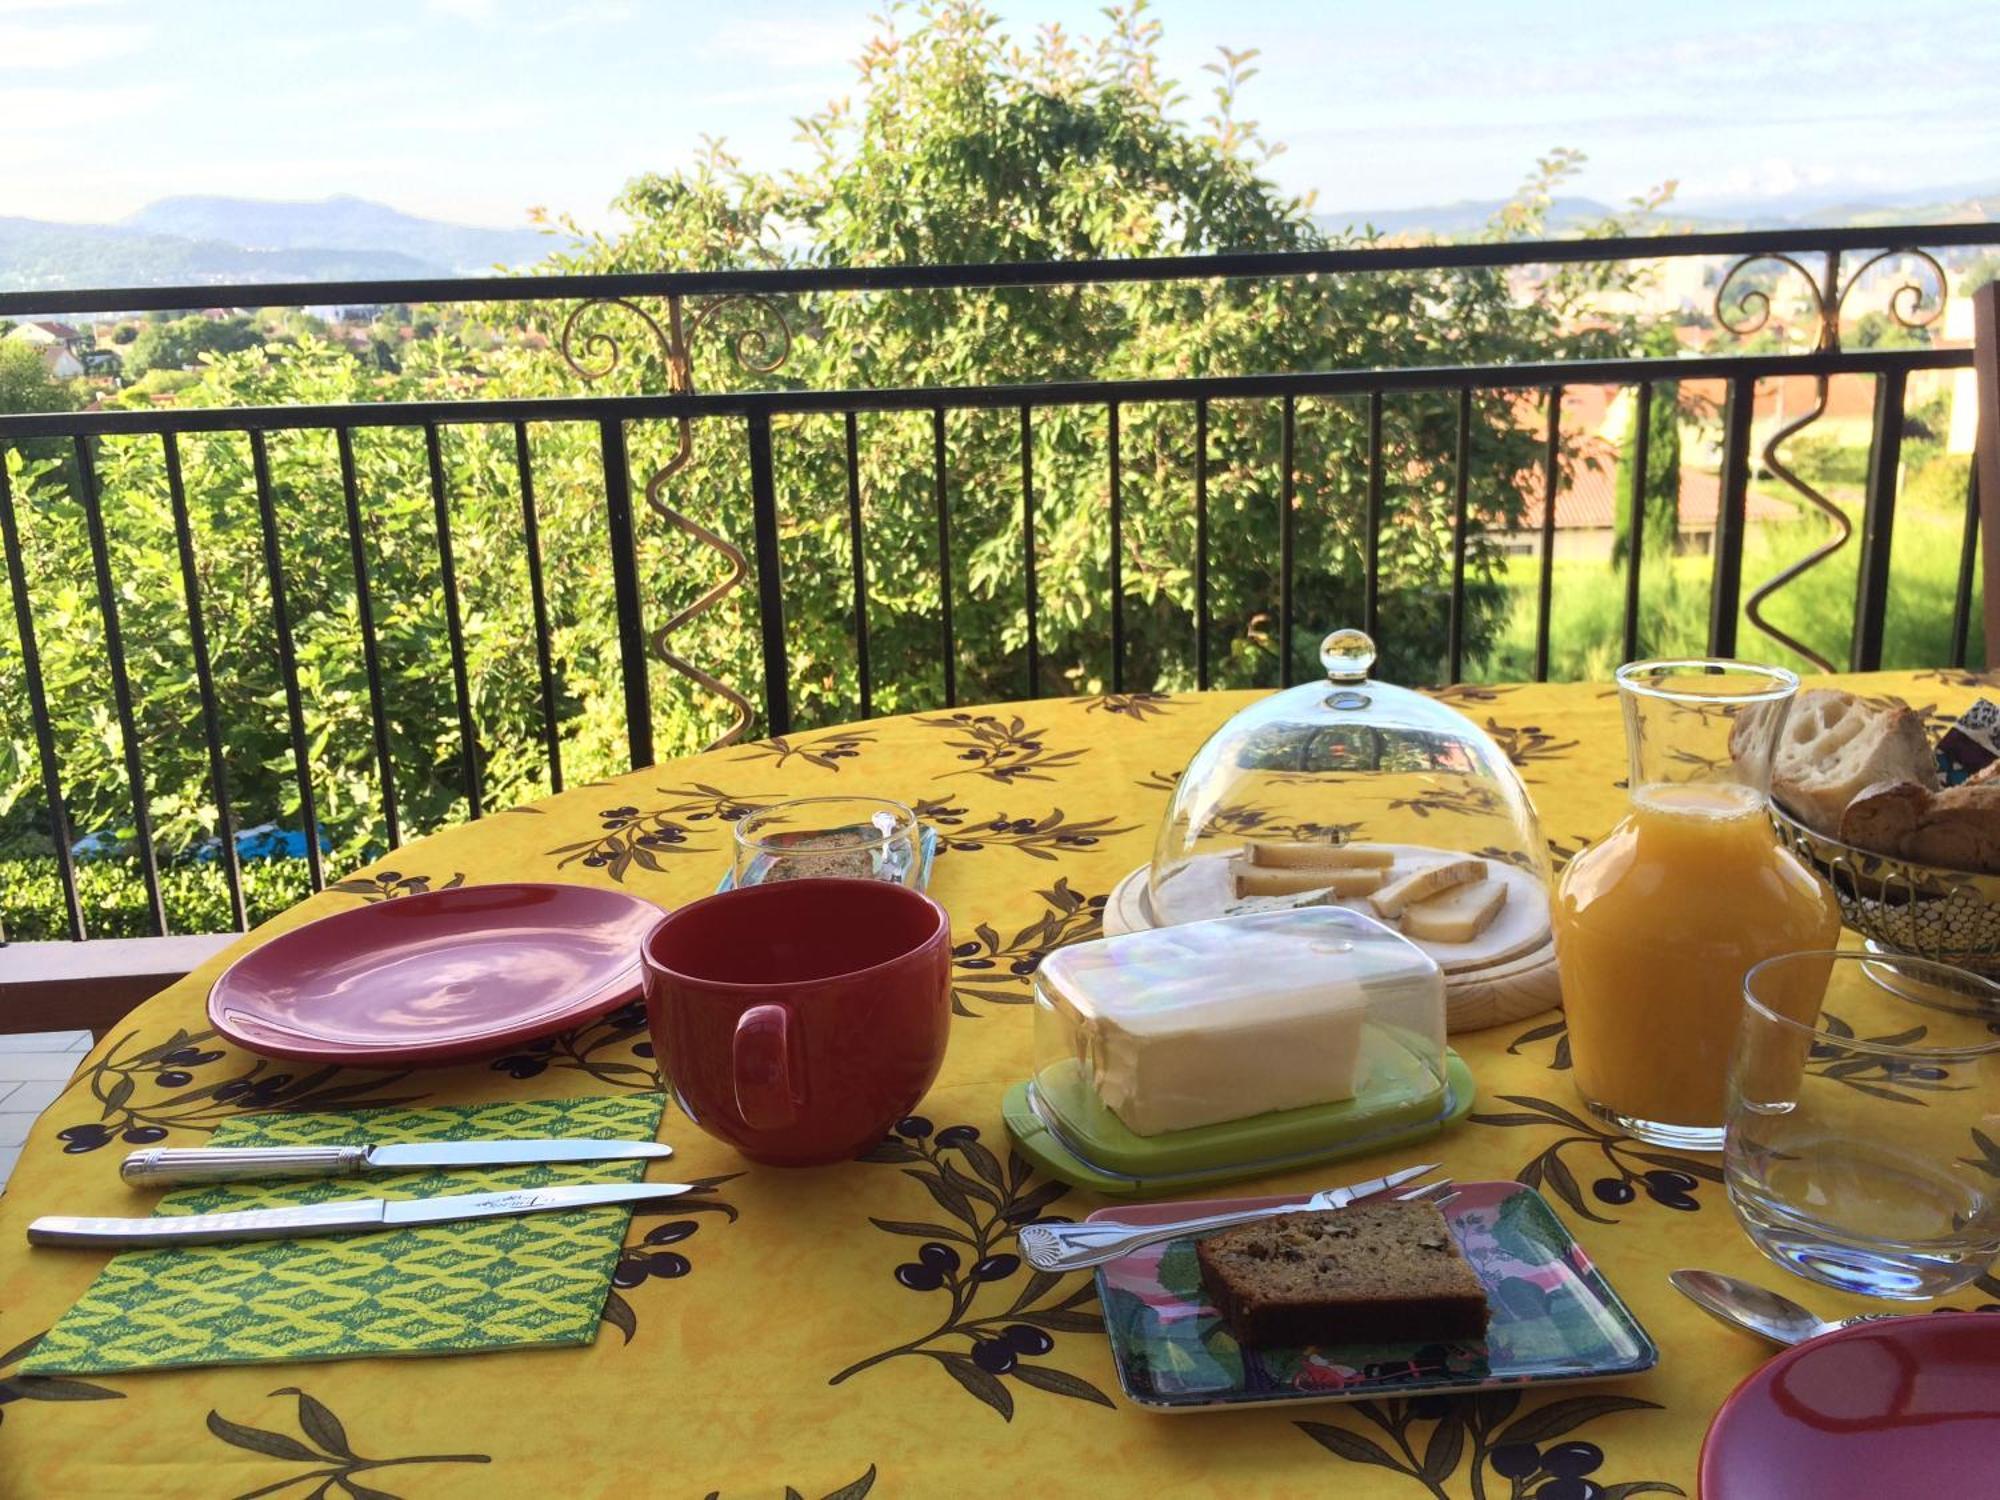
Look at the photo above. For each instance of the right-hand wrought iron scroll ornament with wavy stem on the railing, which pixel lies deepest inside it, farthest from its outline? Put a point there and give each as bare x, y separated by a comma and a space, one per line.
1911, 305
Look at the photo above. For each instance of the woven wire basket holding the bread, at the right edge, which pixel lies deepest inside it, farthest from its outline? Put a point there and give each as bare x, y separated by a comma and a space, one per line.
1951, 917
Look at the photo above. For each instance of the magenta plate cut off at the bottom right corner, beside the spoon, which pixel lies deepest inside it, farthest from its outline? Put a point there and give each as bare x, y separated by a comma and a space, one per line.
1885, 1409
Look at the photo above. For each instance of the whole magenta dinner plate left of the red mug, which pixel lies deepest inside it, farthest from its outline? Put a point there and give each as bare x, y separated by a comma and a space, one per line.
445, 977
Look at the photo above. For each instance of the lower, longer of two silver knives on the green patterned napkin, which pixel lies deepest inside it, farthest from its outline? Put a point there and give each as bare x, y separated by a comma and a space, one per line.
349, 1217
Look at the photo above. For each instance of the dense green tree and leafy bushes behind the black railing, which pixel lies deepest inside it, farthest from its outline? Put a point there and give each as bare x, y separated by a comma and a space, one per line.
959, 147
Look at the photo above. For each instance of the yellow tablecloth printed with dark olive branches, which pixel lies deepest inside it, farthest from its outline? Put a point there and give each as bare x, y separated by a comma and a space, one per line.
769, 1343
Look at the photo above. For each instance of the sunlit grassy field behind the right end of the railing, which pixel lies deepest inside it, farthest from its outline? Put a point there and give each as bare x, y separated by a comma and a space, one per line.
1587, 615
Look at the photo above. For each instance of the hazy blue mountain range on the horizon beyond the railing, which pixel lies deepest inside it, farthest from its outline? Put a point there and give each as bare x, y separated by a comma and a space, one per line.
227, 241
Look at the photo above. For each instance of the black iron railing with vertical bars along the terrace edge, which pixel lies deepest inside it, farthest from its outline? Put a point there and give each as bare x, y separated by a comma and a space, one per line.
745, 419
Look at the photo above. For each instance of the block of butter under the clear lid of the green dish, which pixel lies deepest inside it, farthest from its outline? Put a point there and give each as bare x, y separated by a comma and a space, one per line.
1221, 1021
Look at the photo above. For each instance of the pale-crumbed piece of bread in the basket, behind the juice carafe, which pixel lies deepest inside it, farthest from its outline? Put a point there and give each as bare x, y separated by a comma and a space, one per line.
1833, 749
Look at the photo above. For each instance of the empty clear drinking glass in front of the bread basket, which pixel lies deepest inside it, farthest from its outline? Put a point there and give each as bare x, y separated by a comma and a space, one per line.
1863, 1149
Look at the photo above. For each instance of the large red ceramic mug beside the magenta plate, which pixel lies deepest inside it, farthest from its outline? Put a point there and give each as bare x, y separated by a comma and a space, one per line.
801, 1019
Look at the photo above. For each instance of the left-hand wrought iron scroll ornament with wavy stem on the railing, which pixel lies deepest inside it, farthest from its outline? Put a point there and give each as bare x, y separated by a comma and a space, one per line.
761, 349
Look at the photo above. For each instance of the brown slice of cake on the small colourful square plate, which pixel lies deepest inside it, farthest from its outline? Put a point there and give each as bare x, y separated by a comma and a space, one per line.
1363, 1275
